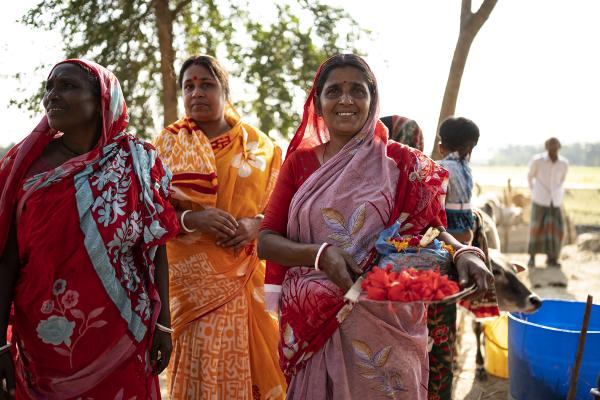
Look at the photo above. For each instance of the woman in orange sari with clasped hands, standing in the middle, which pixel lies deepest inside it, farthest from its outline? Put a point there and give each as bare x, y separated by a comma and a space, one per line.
225, 344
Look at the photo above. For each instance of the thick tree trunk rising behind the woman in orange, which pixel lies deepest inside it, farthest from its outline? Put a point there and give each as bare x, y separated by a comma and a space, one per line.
164, 23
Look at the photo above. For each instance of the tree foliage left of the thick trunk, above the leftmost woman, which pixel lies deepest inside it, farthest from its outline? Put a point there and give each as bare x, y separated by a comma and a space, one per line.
113, 33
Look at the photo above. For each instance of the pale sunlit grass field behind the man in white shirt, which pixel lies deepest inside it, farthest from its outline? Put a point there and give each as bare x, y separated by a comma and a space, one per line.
582, 194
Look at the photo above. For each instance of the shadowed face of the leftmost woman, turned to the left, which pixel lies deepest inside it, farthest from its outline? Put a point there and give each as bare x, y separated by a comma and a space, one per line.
70, 100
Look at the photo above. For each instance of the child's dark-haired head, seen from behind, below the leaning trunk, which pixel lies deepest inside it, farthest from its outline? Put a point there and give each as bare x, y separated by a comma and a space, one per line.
458, 134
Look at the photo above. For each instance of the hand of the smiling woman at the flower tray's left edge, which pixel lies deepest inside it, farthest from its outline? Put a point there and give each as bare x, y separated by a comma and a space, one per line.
339, 266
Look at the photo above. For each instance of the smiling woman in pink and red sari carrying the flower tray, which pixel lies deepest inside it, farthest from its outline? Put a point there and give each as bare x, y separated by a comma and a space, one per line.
341, 184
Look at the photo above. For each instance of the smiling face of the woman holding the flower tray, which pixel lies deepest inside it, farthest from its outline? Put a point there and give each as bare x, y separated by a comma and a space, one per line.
345, 101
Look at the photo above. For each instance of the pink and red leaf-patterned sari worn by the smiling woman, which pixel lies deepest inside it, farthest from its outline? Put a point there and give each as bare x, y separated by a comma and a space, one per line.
328, 347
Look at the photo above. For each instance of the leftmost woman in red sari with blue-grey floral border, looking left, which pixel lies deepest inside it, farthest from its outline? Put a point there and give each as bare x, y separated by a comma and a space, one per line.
84, 216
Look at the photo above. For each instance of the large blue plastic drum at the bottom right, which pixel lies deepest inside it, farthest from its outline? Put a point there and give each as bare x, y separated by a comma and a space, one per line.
542, 348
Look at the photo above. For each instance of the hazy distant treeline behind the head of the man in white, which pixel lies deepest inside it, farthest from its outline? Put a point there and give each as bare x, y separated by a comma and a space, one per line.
587, 154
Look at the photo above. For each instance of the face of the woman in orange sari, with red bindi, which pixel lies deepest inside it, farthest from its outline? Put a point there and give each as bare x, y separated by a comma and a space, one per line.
203, 96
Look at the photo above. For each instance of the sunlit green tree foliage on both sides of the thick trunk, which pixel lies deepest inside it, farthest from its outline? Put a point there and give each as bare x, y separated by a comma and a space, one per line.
275, 61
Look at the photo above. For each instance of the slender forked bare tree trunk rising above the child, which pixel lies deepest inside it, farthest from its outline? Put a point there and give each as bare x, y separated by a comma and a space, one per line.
470, 23
